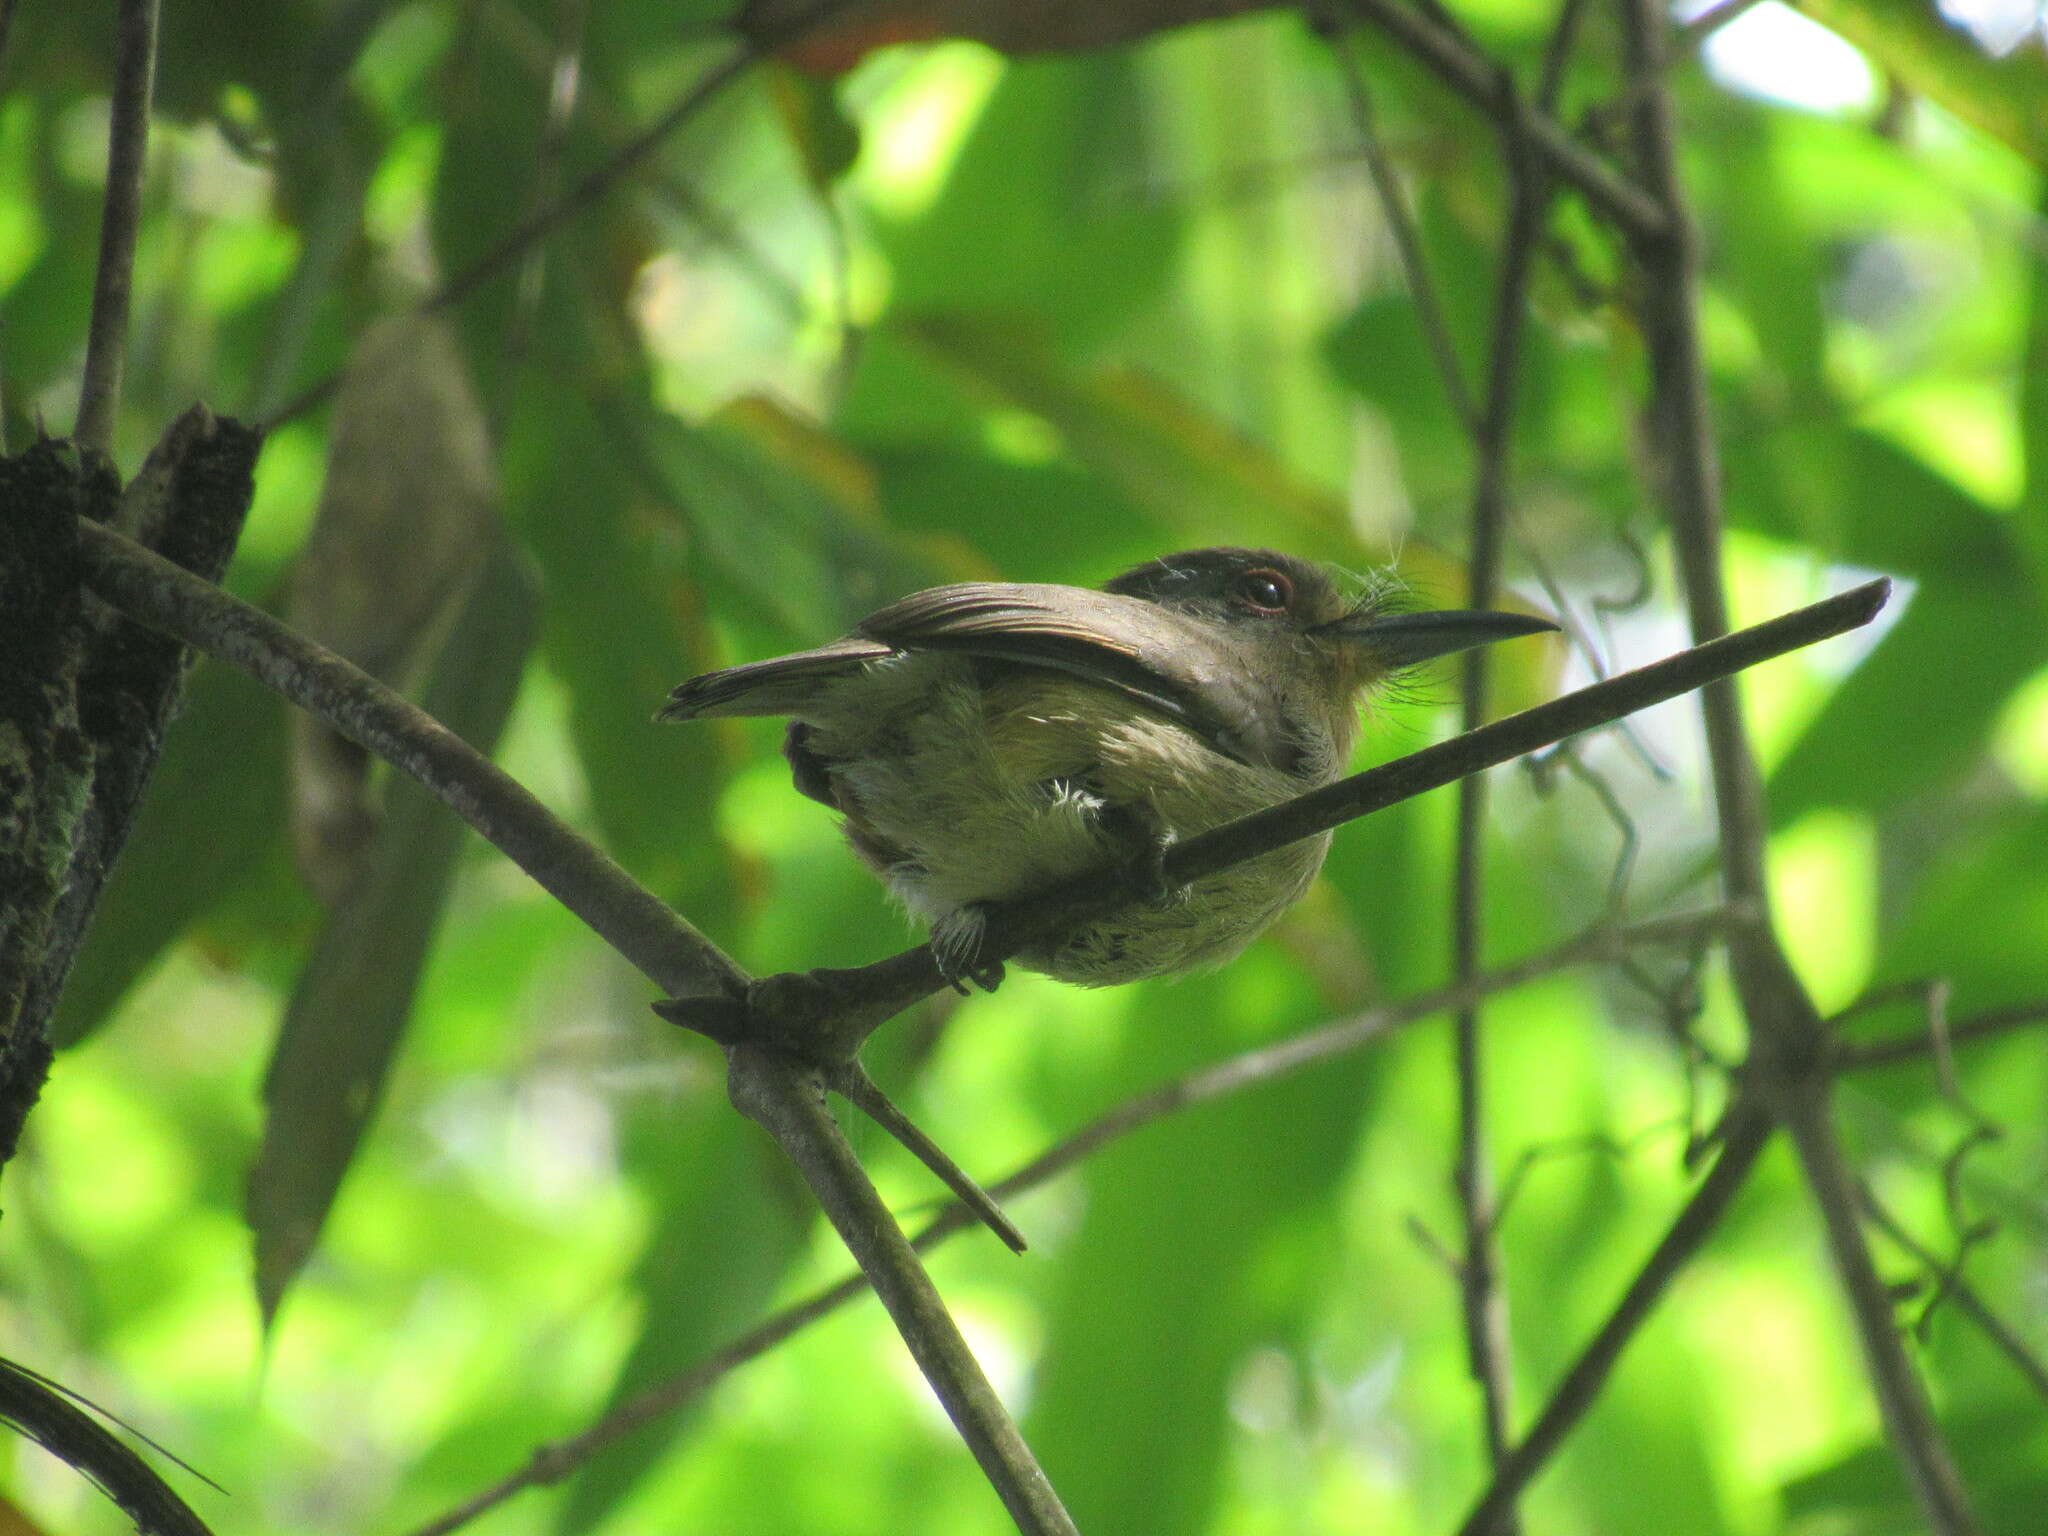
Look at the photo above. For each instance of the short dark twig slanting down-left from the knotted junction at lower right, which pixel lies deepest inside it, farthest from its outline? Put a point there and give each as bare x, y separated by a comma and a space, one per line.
1748, 1134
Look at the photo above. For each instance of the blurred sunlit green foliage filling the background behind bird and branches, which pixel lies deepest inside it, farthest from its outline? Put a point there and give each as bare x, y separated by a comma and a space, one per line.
947, 318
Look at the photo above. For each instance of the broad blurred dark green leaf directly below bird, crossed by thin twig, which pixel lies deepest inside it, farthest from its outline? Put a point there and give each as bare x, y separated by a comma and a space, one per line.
1189, 1258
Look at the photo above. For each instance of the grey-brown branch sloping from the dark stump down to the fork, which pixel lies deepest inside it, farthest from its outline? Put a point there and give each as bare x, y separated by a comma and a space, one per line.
589, 884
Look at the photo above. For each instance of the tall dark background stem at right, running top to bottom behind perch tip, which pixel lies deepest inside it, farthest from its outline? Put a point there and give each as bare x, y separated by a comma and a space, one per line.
1789, 1046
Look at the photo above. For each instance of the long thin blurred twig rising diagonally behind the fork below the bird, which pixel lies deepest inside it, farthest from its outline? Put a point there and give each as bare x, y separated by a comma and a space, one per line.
1207, 1084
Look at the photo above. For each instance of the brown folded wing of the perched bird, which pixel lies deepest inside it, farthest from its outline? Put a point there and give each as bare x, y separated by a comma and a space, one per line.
1152, 654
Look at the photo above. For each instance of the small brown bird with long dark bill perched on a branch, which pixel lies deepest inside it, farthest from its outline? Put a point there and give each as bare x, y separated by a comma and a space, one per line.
988, 740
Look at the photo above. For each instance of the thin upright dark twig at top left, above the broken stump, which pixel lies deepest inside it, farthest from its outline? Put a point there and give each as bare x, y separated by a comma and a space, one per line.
128, 161
